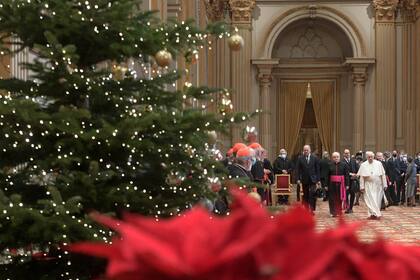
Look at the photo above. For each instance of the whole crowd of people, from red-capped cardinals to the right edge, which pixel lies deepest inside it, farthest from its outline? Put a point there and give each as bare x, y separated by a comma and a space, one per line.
382, 179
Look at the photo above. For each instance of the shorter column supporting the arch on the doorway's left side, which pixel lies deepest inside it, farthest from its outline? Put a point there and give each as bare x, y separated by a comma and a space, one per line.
264, 78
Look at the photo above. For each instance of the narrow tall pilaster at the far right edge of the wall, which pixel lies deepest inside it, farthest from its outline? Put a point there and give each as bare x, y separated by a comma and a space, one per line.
408, 14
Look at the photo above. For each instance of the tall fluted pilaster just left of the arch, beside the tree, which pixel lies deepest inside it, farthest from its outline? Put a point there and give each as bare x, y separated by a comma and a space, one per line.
241, 11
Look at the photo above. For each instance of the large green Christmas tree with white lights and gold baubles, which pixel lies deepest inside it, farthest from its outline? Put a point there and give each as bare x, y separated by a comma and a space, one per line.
91, 130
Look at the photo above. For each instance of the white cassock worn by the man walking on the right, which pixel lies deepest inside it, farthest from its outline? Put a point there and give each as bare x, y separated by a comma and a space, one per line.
373, 181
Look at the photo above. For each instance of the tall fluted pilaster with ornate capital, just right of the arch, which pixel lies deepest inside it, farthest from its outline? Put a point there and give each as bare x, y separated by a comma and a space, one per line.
385, 73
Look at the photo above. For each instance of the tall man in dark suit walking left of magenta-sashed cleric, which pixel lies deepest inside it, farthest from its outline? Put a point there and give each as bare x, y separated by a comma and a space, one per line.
308, 174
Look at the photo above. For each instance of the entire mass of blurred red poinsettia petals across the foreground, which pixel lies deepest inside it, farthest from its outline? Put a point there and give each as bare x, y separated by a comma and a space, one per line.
248, 244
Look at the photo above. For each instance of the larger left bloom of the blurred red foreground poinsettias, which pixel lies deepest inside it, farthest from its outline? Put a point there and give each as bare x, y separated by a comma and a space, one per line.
193, 246
